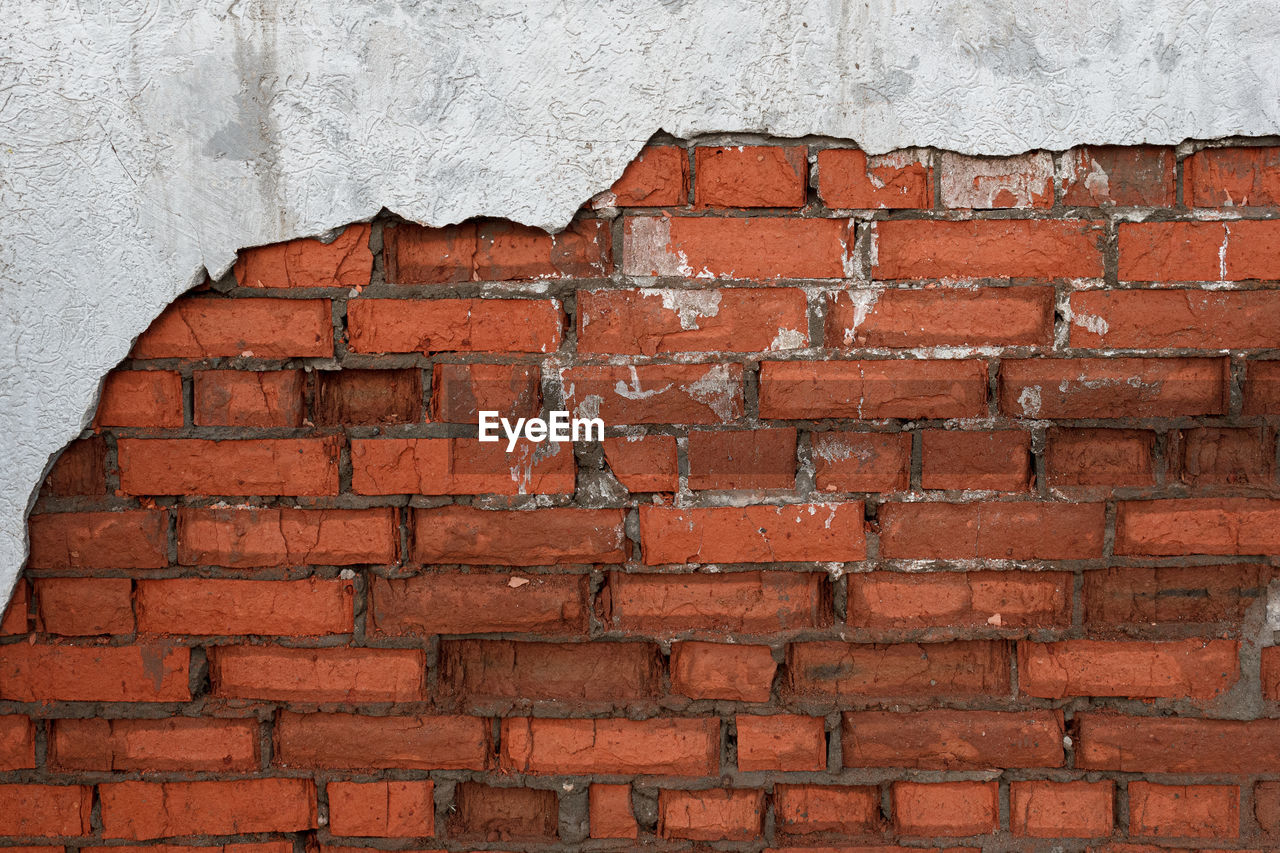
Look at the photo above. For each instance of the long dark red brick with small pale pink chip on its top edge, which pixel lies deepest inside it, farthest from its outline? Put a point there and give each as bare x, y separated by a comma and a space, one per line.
479, 604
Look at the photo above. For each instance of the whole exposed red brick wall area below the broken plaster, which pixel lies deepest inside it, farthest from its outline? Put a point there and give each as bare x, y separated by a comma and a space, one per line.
938, 512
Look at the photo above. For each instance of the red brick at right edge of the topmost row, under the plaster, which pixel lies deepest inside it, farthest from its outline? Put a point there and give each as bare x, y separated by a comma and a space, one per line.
1235, 177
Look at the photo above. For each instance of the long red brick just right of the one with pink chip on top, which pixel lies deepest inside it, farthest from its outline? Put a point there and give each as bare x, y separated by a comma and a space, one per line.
738, 603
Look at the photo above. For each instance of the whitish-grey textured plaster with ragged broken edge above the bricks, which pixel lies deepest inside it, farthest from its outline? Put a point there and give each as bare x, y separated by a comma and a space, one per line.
145, 143
